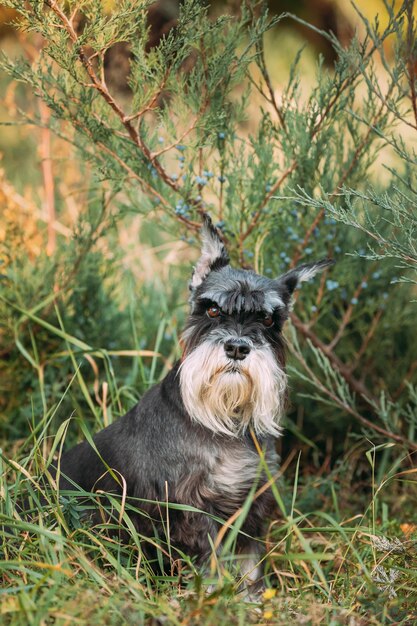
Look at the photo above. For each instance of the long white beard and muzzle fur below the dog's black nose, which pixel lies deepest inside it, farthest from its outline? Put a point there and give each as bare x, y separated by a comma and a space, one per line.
230, 396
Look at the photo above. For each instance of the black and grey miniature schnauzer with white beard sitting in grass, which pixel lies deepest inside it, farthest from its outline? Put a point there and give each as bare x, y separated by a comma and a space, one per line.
194, 438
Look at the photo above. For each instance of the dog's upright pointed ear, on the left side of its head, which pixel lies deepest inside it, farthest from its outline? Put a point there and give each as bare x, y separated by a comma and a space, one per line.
213, 253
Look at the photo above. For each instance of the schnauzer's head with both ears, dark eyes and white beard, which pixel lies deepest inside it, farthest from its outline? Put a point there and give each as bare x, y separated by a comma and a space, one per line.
232, 373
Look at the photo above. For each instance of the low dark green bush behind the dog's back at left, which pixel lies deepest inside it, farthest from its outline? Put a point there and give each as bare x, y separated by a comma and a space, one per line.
91, 313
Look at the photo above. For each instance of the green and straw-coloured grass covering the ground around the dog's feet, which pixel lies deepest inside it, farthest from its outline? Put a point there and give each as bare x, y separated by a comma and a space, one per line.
320, 570
